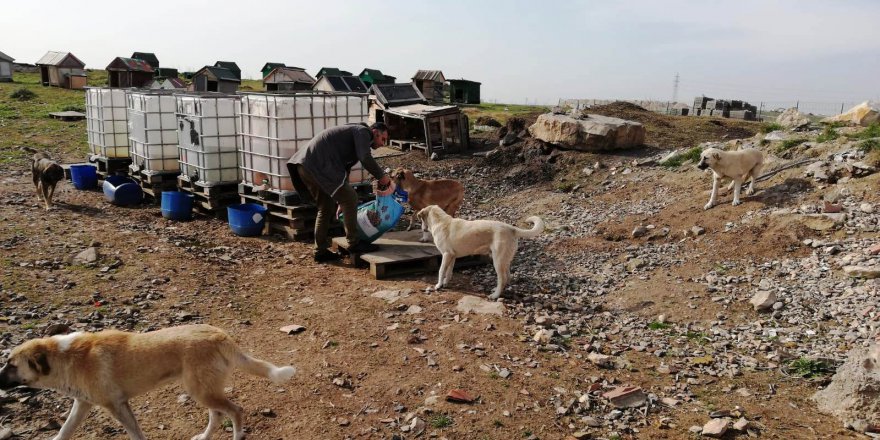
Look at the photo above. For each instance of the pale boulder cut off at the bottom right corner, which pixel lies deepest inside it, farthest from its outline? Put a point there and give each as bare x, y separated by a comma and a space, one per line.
854, 392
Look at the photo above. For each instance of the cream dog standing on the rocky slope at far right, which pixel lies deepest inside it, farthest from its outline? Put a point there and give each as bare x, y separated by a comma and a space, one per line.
740, 165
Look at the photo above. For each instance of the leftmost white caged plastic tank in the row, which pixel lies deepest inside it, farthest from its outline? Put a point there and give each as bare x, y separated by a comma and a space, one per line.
107, 122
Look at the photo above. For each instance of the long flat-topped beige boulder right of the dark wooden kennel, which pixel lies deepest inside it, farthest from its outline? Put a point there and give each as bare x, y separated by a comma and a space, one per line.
590, 133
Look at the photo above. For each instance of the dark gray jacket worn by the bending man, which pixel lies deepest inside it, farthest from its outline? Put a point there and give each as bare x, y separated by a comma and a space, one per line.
330, 155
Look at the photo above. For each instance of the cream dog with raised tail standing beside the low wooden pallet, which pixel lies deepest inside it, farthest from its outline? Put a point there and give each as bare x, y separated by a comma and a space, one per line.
459, 238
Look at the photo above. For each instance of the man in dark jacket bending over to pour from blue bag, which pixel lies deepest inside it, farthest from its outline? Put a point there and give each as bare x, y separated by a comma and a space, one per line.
320, 175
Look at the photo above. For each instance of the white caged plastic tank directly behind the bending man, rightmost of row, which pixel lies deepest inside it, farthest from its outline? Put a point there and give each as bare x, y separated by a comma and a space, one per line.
275, 126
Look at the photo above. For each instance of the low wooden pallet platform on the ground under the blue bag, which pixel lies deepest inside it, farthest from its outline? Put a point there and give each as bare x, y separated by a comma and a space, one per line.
401, 253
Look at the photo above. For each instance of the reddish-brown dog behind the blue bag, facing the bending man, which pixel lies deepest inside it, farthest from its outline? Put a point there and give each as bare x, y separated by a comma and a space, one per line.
445, 193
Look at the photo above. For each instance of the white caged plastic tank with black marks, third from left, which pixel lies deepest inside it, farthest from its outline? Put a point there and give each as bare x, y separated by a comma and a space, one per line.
207, 133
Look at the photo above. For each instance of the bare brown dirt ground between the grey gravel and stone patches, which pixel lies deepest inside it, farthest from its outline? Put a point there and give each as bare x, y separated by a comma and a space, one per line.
154, 273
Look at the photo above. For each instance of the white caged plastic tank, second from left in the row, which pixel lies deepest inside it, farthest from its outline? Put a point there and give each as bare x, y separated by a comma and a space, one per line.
152, 131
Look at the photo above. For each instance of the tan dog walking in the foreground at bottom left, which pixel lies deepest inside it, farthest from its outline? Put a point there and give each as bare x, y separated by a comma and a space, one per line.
110, 367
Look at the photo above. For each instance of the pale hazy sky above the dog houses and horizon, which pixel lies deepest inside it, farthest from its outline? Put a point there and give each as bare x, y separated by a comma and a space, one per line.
536, 52
